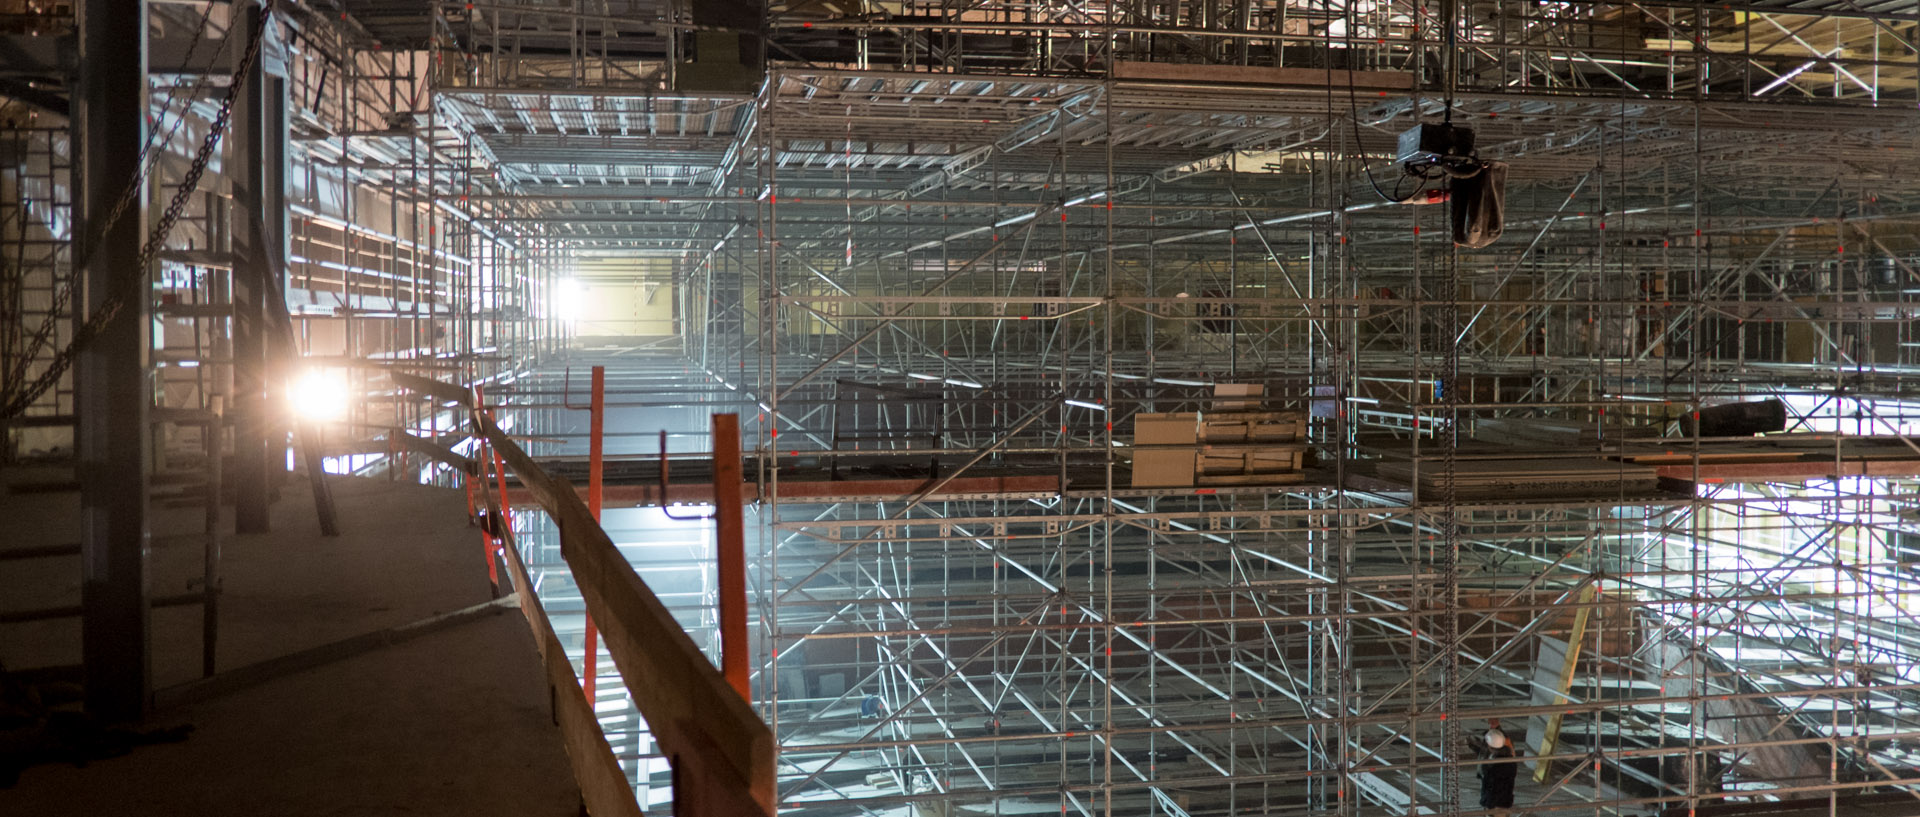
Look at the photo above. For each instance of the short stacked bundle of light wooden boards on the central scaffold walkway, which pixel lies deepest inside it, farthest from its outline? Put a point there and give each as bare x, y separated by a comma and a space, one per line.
1236, 446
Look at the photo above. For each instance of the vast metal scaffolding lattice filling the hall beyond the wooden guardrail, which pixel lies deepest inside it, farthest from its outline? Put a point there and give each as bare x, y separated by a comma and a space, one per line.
1047, 218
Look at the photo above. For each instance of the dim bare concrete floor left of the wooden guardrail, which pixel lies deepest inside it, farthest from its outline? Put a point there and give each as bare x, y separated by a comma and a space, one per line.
448, 724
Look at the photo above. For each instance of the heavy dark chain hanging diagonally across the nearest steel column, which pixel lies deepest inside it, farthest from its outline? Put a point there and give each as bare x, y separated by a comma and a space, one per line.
133, 281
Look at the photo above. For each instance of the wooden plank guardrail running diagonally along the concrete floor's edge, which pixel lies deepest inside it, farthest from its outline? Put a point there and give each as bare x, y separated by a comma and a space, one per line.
721, 751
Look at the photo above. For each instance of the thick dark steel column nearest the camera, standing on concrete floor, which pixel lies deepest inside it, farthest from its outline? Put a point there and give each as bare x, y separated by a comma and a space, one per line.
112, 377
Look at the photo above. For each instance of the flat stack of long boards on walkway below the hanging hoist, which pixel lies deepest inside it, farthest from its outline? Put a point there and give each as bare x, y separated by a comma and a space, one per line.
1527, 479
